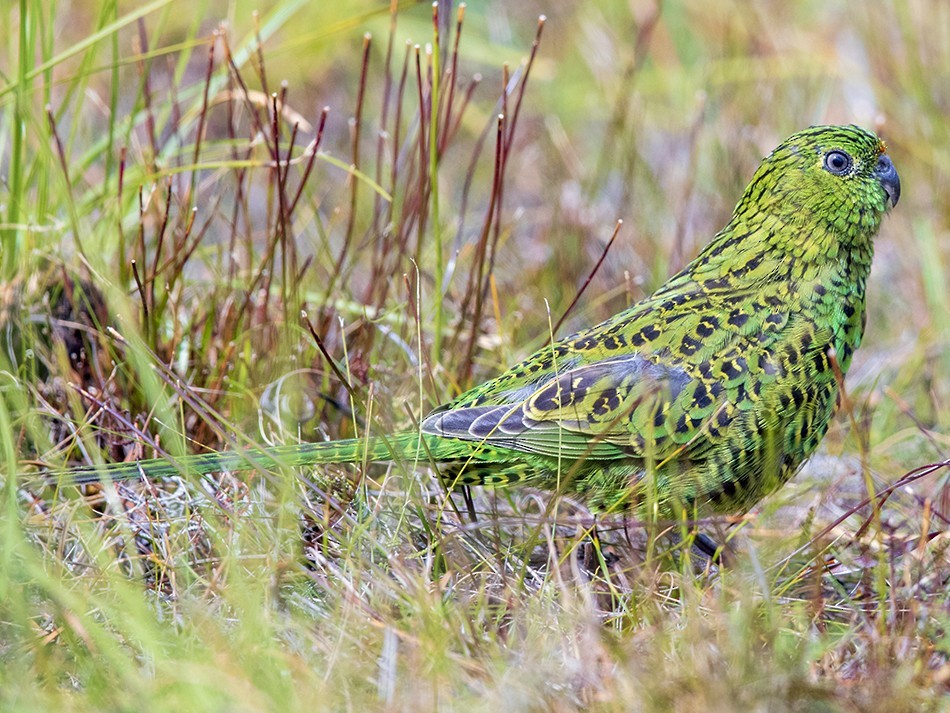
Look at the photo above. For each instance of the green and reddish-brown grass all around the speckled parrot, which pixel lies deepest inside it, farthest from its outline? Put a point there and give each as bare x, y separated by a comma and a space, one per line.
171, 207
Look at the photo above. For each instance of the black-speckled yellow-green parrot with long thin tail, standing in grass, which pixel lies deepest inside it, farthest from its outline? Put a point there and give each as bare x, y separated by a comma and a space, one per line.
718, 386
